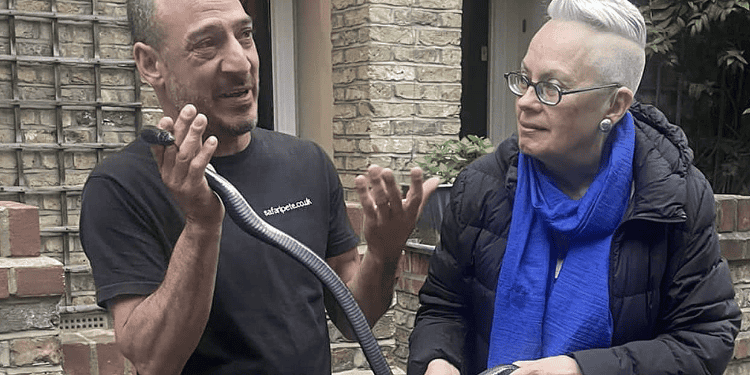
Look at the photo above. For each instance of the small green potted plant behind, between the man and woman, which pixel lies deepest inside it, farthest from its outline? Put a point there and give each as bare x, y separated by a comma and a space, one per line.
450, 157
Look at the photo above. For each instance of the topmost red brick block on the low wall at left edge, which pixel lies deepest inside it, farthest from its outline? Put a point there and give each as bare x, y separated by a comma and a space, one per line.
22, 229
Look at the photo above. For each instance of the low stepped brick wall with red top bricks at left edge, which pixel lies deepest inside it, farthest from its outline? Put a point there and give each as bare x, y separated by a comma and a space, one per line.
31, 286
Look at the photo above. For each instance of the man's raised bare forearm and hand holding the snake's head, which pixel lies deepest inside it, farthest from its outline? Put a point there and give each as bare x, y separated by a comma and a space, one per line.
159, 332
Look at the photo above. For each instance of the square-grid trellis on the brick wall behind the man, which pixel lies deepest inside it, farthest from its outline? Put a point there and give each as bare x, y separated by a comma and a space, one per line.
69, 96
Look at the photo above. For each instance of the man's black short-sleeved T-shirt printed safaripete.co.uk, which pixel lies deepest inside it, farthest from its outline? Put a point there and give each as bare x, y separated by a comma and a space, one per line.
268, 315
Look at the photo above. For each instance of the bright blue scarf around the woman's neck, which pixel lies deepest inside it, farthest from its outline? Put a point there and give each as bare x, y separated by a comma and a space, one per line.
536, 315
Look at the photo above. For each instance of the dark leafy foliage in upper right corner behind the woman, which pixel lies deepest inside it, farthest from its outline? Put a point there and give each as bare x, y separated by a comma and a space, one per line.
707, 42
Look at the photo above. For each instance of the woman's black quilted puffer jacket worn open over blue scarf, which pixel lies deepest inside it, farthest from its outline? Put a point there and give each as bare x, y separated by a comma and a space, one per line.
671, 295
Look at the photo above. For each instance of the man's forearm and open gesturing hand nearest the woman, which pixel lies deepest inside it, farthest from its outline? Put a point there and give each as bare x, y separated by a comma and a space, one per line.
387, 227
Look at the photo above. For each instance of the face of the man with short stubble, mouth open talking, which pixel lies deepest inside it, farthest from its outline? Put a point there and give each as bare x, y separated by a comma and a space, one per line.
210, 61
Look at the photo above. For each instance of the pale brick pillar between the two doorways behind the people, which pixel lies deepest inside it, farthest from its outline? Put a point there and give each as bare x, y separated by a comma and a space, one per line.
397, 81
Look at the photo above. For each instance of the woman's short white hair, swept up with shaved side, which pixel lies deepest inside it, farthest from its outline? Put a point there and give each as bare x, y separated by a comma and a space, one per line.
620, 63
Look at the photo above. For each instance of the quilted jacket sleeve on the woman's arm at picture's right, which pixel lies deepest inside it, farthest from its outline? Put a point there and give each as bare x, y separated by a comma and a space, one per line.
698, 317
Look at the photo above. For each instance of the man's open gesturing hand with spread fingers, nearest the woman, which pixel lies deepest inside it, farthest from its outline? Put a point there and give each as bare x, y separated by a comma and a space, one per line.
389, 220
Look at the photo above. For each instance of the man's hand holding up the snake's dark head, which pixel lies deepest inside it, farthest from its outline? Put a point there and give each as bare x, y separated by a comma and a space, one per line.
182, 167
